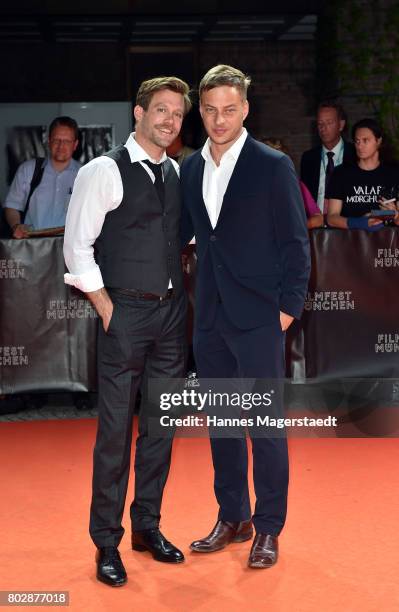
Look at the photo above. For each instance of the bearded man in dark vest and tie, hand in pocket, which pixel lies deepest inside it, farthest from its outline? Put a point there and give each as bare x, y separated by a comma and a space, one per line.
126, 207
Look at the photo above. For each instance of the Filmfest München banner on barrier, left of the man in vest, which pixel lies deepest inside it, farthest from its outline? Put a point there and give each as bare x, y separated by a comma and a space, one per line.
47, 329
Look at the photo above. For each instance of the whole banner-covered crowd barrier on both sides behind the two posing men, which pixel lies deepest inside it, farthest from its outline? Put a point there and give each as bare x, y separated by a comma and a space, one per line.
349, 328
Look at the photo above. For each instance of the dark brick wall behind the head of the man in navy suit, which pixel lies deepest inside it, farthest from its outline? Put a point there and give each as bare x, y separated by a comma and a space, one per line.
281, 93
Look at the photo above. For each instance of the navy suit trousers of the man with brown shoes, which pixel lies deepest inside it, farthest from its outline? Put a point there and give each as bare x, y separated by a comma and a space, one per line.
226, 352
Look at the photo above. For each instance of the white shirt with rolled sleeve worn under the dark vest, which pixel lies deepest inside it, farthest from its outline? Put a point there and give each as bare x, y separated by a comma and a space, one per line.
98, 189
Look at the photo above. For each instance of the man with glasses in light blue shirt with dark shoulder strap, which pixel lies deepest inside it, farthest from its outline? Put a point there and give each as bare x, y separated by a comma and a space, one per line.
40, 192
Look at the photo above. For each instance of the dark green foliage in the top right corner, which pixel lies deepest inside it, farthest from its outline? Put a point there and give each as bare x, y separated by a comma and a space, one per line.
365, 49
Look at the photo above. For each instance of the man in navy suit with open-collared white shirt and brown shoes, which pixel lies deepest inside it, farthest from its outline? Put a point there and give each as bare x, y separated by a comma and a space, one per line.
242, 202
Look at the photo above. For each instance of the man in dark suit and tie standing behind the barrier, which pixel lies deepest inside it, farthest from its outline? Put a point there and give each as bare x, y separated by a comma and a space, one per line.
318, 163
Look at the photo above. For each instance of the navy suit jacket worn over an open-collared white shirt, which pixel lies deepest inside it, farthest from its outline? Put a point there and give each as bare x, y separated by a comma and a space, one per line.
257, 257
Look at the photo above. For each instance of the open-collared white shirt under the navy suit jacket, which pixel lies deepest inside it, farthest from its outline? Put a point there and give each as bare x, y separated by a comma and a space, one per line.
216, 178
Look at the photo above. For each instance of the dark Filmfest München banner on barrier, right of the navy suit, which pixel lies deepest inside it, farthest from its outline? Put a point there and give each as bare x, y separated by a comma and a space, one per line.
350, 324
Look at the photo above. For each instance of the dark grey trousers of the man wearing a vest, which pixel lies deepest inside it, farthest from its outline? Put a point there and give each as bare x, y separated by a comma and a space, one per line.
145, 338
